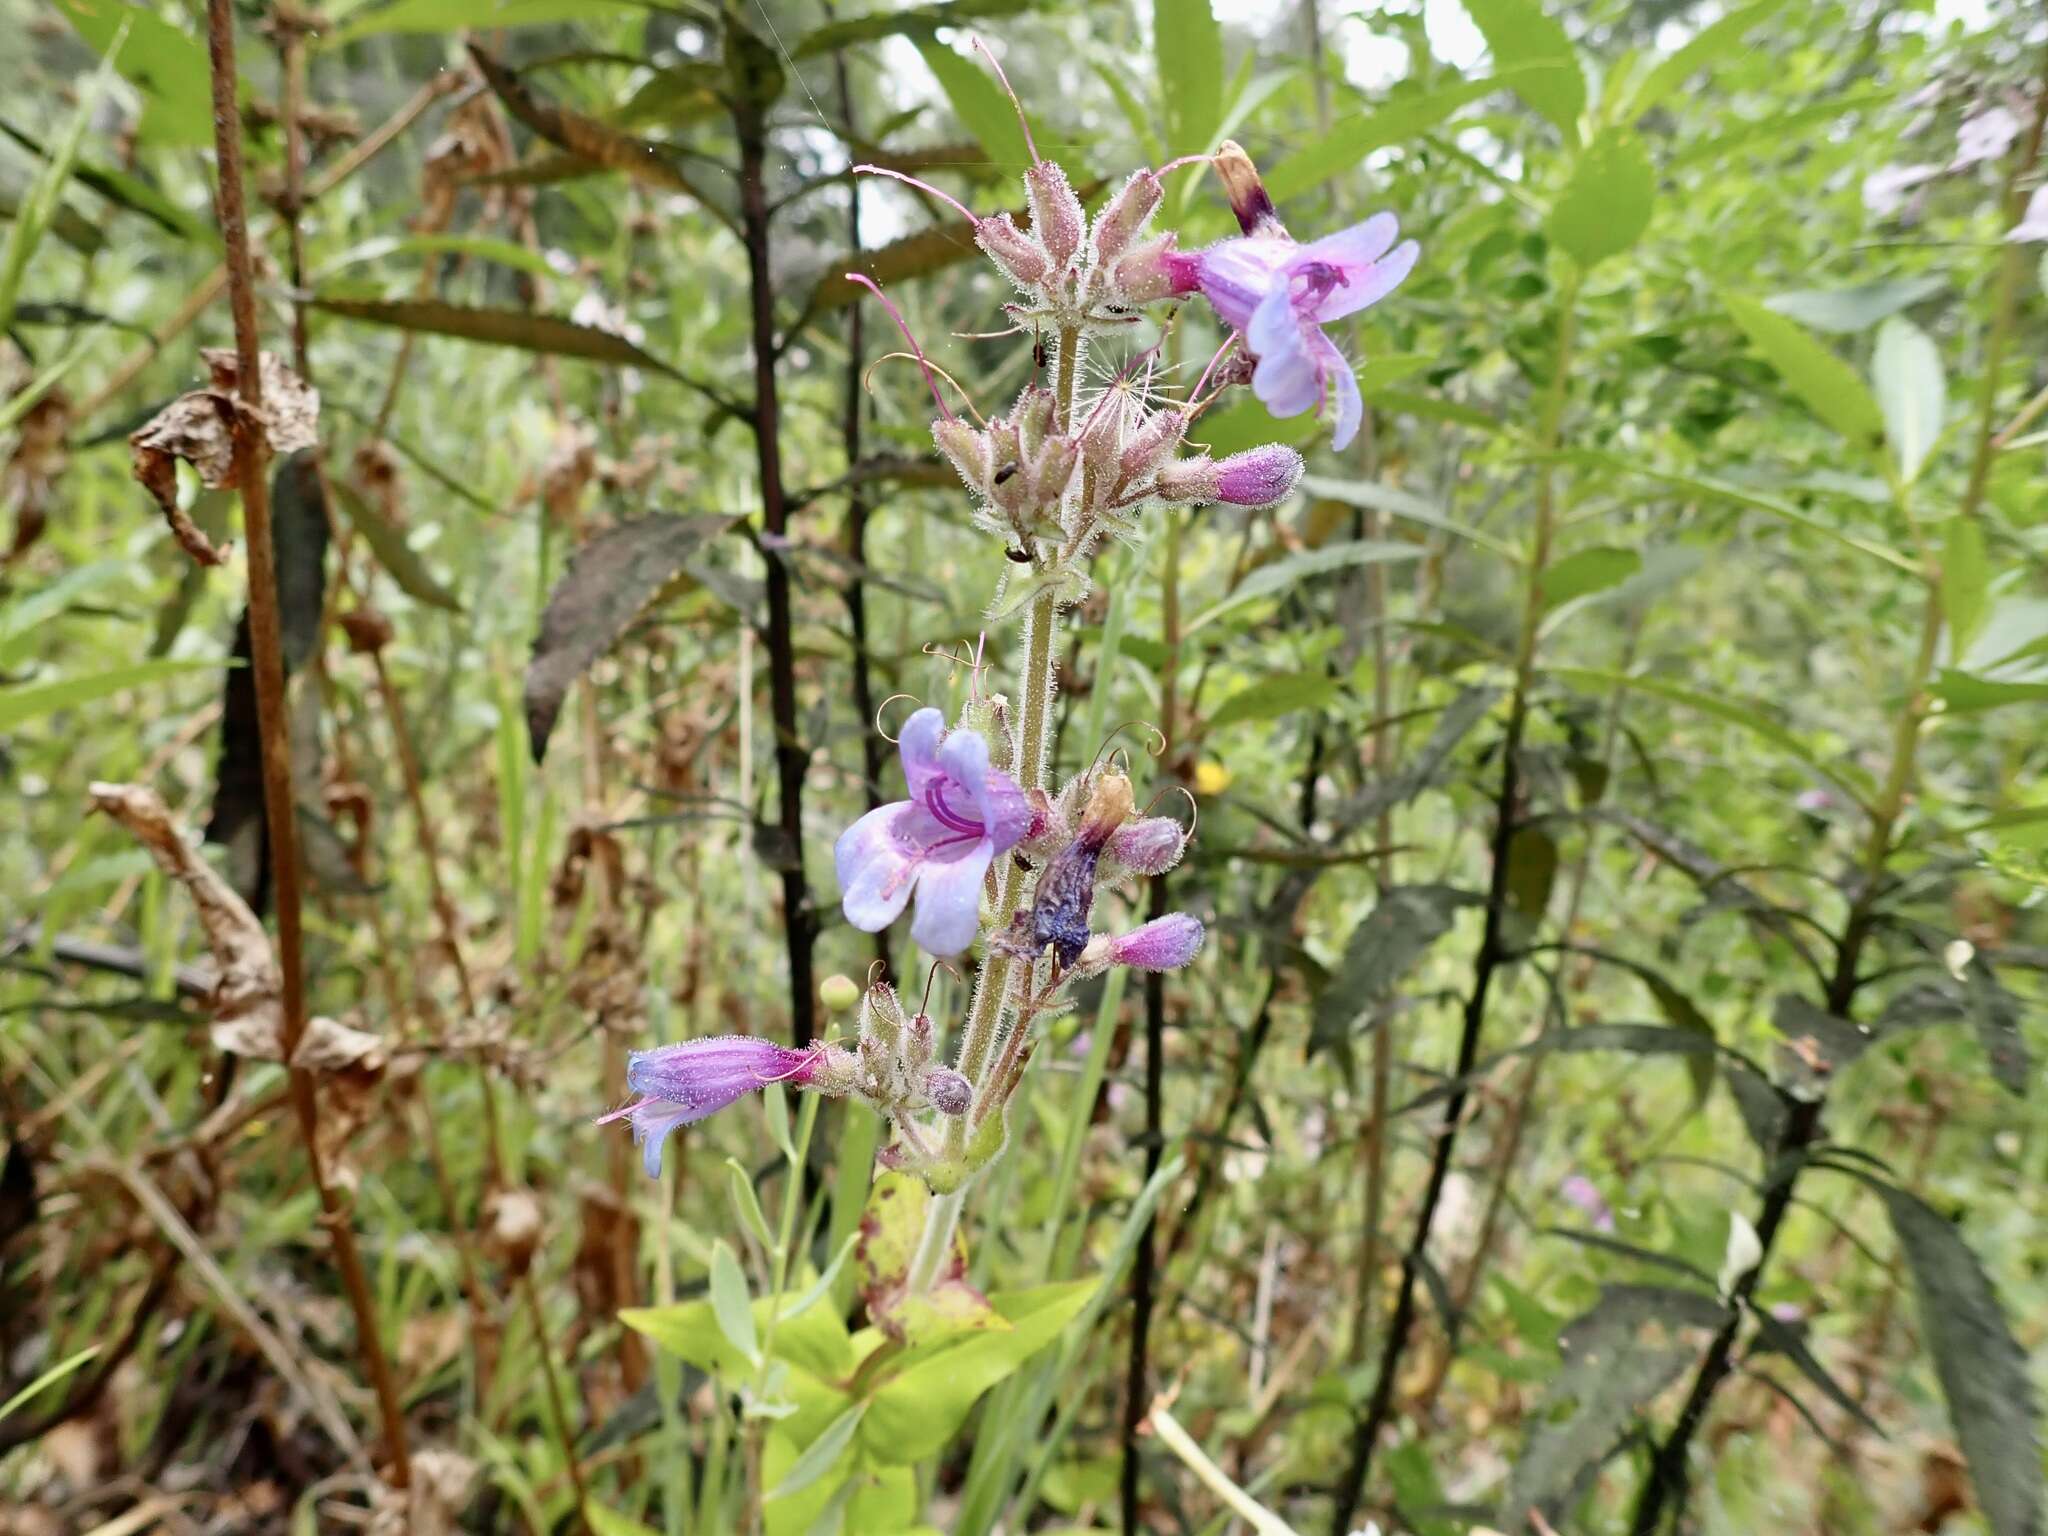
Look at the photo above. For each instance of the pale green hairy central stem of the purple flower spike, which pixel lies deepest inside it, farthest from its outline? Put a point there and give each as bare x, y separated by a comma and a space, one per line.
980, 1060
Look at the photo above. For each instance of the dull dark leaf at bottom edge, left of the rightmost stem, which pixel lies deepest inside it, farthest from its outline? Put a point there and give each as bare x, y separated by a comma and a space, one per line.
1617, 1357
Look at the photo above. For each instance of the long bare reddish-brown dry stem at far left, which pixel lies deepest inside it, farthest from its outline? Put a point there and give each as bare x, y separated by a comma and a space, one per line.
267, 656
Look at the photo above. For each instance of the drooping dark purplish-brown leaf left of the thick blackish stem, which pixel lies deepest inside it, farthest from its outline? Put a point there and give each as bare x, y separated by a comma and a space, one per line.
611, 581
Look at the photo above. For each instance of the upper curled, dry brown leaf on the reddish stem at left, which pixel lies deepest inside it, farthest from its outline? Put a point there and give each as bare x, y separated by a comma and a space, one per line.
200, 429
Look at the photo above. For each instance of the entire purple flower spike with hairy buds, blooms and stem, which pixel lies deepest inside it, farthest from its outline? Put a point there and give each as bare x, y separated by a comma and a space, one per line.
982, 847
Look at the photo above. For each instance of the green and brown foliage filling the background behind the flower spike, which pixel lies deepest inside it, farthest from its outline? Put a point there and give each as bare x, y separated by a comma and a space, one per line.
1623, 757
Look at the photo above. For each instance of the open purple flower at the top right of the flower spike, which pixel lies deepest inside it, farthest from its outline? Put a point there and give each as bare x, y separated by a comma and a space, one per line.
1281, 296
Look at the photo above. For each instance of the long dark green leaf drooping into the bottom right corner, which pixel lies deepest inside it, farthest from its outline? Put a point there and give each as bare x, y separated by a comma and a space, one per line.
1981, 1367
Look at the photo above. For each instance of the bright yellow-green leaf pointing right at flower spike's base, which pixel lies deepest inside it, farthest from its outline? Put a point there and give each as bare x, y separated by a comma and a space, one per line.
921, 1410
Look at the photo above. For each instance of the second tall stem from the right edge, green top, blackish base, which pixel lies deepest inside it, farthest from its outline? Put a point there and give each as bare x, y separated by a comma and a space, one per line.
1494, 949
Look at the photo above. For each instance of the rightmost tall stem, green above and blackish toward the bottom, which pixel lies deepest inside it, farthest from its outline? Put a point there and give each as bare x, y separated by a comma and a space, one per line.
1668, 1480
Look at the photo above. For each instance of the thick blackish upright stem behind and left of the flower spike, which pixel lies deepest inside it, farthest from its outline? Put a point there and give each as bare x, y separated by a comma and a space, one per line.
790, 755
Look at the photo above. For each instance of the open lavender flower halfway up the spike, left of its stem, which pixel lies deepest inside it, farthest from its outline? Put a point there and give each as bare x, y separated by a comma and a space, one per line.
959, 816
